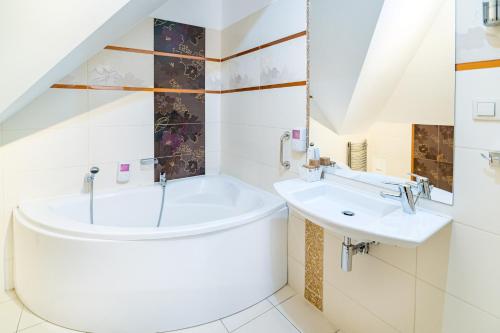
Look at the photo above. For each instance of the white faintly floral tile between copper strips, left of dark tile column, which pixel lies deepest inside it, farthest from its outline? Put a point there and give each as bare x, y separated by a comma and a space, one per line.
112, 68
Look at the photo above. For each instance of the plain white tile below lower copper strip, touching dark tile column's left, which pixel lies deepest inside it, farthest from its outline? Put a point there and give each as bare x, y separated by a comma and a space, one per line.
120, 108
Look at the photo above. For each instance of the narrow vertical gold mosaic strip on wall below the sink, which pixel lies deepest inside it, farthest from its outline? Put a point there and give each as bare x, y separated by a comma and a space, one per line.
314, 239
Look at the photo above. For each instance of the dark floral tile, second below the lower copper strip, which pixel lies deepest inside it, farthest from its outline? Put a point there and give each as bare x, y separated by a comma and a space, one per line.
181, 139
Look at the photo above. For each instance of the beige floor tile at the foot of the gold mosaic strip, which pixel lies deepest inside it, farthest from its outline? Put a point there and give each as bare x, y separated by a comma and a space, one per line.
305, 317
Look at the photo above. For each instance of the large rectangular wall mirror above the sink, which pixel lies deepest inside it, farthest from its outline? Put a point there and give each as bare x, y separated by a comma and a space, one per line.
382, 80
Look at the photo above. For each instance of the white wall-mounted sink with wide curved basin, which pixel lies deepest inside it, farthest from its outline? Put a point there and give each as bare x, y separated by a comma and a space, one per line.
359, 215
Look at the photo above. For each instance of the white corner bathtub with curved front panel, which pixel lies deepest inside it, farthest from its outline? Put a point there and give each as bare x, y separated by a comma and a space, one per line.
221, 247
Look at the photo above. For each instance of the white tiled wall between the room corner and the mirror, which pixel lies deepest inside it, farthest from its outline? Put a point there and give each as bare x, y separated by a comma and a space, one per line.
253, 121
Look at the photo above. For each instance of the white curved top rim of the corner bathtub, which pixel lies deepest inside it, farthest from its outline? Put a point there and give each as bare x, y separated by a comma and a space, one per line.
60, 226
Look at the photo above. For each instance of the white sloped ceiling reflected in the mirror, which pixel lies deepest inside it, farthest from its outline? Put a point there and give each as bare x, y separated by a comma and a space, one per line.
365, 68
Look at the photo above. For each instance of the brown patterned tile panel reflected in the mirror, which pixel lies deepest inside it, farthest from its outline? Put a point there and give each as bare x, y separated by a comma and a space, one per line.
433, 154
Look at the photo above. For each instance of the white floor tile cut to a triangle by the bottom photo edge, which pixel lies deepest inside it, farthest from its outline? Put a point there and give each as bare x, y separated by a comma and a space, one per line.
270, 322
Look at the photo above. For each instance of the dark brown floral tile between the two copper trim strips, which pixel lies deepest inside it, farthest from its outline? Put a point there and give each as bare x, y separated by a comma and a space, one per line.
179, 73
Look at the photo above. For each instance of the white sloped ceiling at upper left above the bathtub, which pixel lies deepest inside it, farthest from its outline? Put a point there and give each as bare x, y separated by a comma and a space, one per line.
42, 41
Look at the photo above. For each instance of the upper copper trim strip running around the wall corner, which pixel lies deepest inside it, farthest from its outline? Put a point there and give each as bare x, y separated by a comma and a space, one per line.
185, 56
